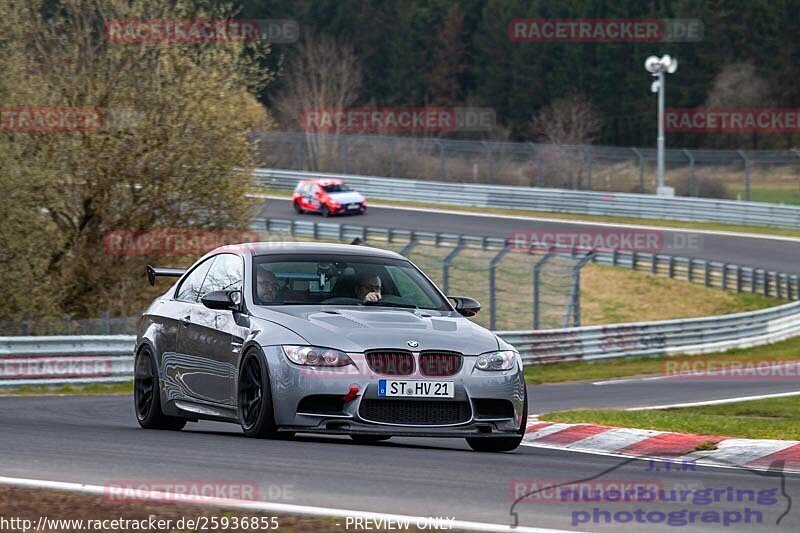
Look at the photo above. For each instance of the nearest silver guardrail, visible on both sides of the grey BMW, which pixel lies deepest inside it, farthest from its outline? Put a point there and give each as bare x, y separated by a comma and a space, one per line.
86, 359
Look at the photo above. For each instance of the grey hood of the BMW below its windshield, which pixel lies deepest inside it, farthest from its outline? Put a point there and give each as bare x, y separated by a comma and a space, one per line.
355, 329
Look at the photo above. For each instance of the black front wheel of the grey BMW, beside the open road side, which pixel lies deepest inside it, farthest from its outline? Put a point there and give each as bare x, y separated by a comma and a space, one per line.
256, 414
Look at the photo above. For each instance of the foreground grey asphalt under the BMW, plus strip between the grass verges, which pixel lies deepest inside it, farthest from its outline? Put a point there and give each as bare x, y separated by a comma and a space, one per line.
96, 440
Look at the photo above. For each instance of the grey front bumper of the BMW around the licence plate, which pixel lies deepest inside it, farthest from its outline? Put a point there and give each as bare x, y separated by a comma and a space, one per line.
291, 384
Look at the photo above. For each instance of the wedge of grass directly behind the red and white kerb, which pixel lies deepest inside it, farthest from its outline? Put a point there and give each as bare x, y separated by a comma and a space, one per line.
773, 418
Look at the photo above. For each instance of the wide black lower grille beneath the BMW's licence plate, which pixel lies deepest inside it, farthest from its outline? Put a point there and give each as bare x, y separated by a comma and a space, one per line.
414, 412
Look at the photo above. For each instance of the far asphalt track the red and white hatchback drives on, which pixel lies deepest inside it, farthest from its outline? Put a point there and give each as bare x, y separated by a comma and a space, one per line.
782, 255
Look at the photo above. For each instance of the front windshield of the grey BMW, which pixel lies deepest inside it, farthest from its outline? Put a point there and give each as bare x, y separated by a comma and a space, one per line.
342, 280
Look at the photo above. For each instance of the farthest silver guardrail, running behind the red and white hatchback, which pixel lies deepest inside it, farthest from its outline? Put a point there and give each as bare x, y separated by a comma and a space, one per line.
553, 200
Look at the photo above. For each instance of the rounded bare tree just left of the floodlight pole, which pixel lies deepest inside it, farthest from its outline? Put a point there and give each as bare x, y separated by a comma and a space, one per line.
565, 124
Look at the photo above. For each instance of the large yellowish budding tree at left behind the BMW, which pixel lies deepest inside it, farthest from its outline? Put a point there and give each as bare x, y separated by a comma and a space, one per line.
171, 149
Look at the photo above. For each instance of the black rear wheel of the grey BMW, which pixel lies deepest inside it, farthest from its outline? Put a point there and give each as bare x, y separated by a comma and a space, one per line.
146, 396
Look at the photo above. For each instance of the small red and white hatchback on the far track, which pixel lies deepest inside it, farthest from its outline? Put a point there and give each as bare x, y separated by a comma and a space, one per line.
327, 197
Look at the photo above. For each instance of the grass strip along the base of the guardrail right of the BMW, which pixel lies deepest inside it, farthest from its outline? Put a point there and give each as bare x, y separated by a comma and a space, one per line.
788, 350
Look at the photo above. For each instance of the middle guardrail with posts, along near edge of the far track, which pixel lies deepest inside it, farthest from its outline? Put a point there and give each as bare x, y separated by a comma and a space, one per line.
726, 276
